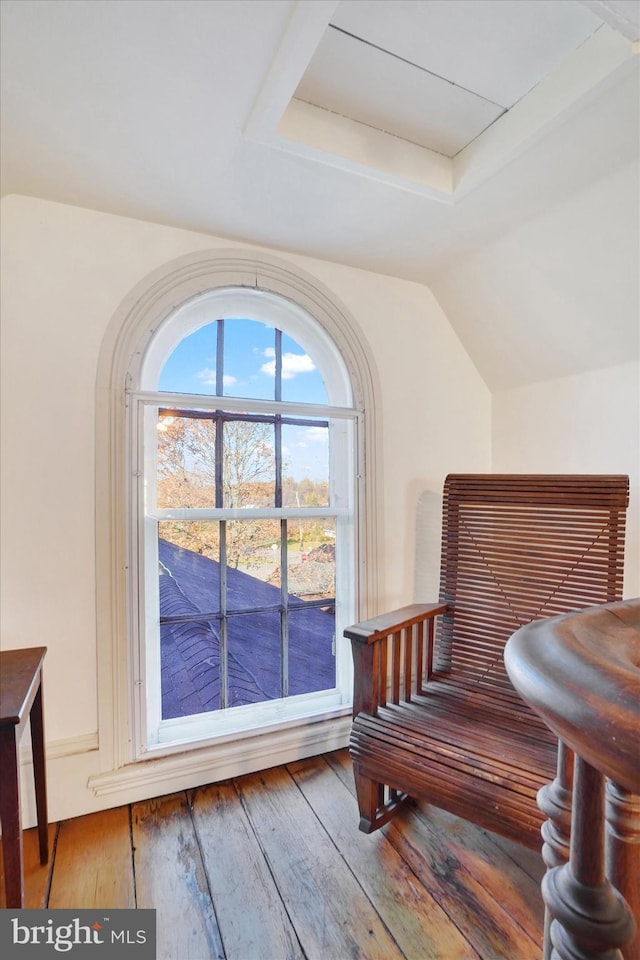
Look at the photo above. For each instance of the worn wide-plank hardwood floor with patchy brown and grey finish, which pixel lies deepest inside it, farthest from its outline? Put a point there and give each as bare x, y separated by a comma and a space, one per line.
272, 866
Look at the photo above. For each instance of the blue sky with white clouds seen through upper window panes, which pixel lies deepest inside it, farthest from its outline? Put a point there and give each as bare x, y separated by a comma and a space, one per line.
249, 371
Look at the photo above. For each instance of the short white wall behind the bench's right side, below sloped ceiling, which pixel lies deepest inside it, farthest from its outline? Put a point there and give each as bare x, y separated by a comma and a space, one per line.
582, 424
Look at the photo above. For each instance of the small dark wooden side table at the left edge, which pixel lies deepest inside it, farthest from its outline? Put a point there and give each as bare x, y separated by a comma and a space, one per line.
20, 699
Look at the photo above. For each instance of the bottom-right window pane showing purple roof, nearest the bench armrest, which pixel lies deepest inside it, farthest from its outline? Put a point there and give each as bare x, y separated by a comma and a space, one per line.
312, 665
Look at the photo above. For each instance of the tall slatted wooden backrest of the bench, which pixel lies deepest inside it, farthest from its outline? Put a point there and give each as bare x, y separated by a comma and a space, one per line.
522, 548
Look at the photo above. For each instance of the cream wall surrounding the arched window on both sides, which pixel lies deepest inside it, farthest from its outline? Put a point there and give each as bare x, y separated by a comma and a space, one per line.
64, 273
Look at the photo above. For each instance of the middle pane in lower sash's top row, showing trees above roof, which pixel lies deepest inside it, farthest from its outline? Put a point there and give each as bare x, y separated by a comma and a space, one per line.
253, 564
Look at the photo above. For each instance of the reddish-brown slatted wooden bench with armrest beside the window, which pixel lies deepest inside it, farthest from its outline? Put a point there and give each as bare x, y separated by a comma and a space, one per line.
435, 715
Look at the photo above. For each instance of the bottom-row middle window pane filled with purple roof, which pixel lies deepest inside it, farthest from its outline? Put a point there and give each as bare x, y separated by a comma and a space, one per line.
255, 661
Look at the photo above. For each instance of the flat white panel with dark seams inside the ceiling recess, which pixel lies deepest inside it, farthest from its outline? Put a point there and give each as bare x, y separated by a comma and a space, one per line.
437, 73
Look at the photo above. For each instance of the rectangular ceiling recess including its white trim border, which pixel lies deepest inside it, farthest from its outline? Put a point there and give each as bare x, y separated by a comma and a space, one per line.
434, 96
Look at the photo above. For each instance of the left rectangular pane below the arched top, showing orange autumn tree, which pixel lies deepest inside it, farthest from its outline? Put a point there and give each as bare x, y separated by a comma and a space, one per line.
186, 461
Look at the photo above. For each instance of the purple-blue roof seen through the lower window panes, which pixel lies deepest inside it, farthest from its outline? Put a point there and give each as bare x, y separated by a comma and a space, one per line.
190, 651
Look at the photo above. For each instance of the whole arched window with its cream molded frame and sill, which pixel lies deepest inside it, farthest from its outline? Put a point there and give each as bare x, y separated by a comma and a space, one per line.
236, 530
